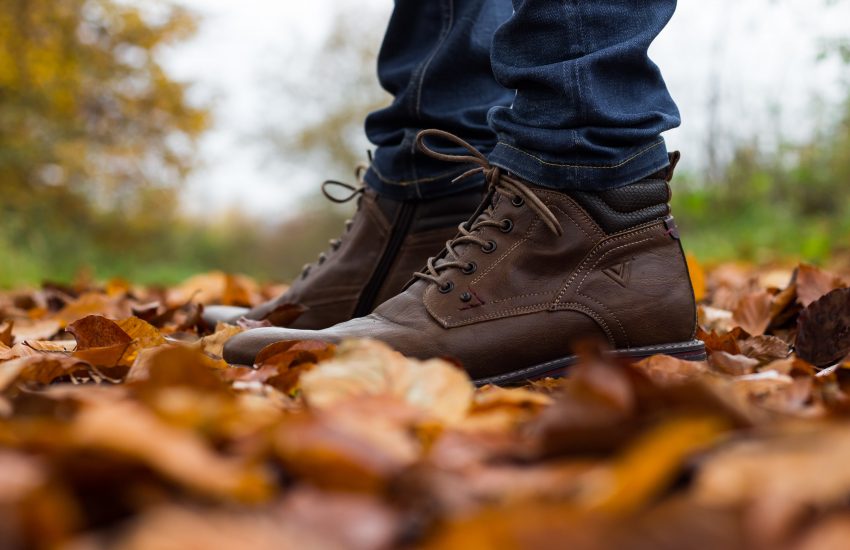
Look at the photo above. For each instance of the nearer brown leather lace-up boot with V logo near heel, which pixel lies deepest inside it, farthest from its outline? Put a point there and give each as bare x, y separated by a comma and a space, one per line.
537, 273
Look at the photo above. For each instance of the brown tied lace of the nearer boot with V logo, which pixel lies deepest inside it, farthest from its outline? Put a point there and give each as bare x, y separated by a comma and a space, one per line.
498, 182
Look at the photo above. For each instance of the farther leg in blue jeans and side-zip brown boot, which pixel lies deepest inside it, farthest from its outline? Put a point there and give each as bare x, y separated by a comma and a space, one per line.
436, 62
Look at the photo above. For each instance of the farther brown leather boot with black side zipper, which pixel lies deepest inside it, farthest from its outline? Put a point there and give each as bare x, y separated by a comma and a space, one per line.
384, 243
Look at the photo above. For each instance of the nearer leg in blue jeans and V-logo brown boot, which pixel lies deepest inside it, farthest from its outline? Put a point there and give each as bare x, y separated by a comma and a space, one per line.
574, 242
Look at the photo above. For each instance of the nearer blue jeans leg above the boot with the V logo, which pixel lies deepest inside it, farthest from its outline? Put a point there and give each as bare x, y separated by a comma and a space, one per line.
590, 106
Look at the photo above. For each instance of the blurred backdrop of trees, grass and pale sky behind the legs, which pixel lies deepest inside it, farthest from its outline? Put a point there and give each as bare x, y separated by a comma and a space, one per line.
154, 139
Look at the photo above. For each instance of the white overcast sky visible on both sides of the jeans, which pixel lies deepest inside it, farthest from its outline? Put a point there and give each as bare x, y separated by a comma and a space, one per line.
759, 55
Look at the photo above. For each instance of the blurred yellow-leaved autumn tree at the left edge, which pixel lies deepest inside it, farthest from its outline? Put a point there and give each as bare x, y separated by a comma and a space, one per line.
84, 104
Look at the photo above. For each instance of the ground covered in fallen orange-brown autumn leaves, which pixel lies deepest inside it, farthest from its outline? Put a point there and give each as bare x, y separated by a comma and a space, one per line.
121, 427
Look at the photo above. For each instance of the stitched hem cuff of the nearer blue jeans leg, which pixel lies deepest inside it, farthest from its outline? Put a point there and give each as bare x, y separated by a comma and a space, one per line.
636, 166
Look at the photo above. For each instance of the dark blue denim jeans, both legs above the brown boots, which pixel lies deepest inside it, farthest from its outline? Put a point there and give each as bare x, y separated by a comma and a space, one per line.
561, 93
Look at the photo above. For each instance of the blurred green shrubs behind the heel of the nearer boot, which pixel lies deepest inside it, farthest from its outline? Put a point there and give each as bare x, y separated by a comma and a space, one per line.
790, 203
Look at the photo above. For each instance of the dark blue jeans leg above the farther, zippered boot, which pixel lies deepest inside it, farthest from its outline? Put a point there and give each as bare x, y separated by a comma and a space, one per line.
435, 61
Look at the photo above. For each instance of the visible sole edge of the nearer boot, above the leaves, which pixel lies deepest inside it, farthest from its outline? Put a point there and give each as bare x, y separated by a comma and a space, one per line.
687, 351
